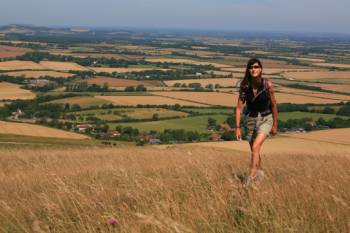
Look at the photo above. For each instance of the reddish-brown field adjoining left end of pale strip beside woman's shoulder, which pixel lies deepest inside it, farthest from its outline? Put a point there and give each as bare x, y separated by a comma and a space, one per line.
119, 82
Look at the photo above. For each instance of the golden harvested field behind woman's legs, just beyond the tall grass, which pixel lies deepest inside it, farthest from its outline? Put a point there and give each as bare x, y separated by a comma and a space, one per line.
282, 145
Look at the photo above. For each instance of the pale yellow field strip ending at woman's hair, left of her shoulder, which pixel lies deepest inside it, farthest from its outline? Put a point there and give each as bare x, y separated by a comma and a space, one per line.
224, 82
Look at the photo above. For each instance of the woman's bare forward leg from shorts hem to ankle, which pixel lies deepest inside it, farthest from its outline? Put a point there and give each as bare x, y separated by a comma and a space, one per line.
255, 147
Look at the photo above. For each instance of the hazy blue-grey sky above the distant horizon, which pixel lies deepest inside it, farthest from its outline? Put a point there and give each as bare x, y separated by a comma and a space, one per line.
267, 15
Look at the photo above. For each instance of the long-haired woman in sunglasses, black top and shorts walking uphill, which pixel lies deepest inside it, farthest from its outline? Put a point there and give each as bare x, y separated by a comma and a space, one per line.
260, 115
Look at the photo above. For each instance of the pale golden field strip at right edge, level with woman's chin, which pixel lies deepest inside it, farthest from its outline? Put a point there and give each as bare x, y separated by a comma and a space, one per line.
318, 75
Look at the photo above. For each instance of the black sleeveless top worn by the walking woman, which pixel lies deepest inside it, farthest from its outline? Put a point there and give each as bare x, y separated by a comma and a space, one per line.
260, 103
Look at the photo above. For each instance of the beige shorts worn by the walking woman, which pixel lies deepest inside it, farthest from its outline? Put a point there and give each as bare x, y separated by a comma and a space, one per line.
259, 124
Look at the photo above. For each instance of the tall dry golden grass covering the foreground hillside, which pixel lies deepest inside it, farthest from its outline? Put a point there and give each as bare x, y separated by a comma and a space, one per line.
169, 190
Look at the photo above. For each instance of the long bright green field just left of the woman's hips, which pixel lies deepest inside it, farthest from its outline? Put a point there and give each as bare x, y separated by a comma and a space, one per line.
198, 123
